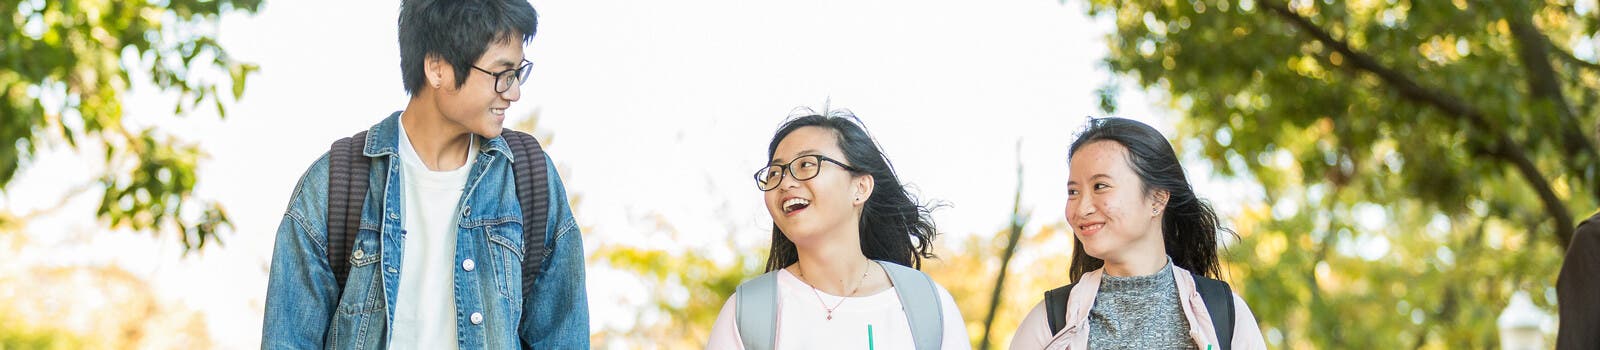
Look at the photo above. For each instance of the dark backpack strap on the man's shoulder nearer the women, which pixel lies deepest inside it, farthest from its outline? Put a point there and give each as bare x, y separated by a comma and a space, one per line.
534, 183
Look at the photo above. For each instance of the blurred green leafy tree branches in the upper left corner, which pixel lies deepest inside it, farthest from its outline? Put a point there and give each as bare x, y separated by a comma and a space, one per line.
63, 73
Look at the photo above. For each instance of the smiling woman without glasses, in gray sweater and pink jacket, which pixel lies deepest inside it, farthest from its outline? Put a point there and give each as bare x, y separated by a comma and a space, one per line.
1145, 255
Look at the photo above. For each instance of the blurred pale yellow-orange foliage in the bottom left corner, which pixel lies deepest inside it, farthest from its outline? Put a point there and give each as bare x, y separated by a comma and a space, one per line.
50, 303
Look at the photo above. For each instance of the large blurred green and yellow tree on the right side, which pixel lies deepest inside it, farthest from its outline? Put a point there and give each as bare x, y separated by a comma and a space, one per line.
1420, 161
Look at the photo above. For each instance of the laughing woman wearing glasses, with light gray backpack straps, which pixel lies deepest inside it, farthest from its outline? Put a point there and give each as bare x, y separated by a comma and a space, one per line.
847, 237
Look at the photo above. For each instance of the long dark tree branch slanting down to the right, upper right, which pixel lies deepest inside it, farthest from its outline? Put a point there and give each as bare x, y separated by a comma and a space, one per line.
1502, 146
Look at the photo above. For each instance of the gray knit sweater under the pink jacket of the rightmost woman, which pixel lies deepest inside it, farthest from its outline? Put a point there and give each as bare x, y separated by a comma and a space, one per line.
1140, 312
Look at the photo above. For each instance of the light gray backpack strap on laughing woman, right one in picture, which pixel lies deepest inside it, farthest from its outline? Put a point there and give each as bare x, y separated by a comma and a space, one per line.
921, 300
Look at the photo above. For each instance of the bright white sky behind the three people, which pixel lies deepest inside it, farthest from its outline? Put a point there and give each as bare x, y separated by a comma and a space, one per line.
658, 111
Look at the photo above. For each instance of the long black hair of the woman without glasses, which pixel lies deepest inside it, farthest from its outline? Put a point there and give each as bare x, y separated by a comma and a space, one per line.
1190, 228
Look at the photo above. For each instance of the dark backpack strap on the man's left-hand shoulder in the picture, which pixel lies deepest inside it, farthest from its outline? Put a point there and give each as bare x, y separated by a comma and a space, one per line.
348, 180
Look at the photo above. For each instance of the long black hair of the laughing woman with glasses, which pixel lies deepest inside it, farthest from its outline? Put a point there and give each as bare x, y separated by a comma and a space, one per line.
894, 226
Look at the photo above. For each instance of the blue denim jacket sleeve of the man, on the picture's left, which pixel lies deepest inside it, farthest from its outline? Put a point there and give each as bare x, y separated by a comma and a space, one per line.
300, 285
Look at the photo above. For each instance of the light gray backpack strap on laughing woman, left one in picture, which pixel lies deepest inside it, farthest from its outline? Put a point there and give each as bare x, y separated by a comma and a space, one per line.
756, 312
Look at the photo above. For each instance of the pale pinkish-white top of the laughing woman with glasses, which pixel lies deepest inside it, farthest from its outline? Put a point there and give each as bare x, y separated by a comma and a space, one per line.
802, 322
